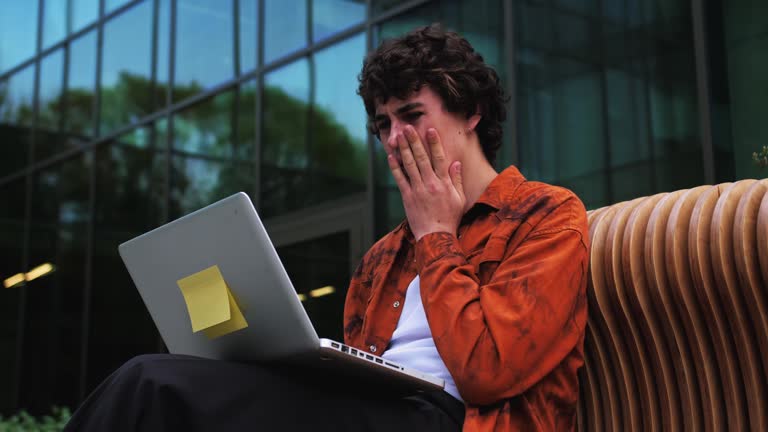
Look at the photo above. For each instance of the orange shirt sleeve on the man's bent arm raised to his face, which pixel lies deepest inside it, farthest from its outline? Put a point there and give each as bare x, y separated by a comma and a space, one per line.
500, 338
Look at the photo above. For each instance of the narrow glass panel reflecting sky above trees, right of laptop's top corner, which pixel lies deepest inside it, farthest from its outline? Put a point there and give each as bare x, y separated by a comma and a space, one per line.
284, 146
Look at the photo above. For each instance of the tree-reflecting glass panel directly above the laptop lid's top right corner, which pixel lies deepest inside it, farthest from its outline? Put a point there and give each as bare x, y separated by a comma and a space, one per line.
207, 164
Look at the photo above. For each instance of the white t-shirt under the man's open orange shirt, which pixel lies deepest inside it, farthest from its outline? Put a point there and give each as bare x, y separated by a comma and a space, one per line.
412, 344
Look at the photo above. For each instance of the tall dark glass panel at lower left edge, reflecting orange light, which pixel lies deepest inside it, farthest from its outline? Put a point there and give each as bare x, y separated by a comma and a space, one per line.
11, 247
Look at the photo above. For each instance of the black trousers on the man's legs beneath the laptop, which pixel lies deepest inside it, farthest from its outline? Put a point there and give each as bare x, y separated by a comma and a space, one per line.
166, 392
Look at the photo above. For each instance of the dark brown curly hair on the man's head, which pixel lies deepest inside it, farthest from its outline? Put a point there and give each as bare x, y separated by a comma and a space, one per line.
446, 63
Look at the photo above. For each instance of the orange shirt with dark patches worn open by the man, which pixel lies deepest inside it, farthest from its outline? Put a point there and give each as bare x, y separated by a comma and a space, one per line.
505, 299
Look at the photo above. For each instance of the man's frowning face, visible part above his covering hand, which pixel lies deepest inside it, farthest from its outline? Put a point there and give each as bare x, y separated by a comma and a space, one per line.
423, 109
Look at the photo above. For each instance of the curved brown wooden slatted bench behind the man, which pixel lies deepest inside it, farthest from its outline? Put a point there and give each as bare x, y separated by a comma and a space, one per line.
677, 334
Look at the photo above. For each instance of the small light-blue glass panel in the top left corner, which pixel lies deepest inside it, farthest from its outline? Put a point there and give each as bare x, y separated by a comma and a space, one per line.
18, 32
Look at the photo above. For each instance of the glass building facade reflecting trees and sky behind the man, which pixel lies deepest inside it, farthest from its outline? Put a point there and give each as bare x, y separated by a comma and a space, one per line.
117, 116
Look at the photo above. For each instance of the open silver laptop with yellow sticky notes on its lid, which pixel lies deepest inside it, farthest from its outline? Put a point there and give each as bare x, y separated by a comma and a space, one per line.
226, 241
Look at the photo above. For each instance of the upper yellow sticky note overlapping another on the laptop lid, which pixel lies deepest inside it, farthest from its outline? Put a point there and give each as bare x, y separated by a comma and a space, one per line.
207, 297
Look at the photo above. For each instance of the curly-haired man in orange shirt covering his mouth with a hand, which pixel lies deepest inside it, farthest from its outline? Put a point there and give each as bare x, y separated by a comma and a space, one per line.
482, 285
